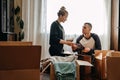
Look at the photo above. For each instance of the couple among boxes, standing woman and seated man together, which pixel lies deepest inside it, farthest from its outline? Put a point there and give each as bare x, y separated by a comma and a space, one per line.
89, 41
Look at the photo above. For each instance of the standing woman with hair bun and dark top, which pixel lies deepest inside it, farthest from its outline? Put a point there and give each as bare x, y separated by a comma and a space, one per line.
57, 34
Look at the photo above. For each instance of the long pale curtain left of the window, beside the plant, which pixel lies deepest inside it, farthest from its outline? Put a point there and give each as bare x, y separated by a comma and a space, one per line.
34, 17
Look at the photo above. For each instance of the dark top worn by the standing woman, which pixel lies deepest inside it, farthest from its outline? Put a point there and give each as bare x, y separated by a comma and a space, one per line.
56, 33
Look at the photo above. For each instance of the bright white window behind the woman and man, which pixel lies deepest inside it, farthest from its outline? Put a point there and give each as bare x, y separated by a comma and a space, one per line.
80, 11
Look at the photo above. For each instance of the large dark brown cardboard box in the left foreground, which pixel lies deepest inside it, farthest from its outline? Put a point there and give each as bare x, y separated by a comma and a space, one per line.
20, 62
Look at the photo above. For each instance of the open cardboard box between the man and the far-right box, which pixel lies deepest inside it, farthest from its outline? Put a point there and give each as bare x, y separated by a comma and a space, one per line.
100, 62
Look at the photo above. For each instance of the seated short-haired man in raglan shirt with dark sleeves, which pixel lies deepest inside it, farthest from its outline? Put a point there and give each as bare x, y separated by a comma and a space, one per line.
87, 43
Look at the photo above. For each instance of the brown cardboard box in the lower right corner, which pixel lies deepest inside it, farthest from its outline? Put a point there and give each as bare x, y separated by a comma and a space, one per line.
113, 66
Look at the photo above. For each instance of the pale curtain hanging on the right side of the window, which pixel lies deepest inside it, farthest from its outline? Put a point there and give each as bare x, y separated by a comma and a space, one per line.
105, 37
